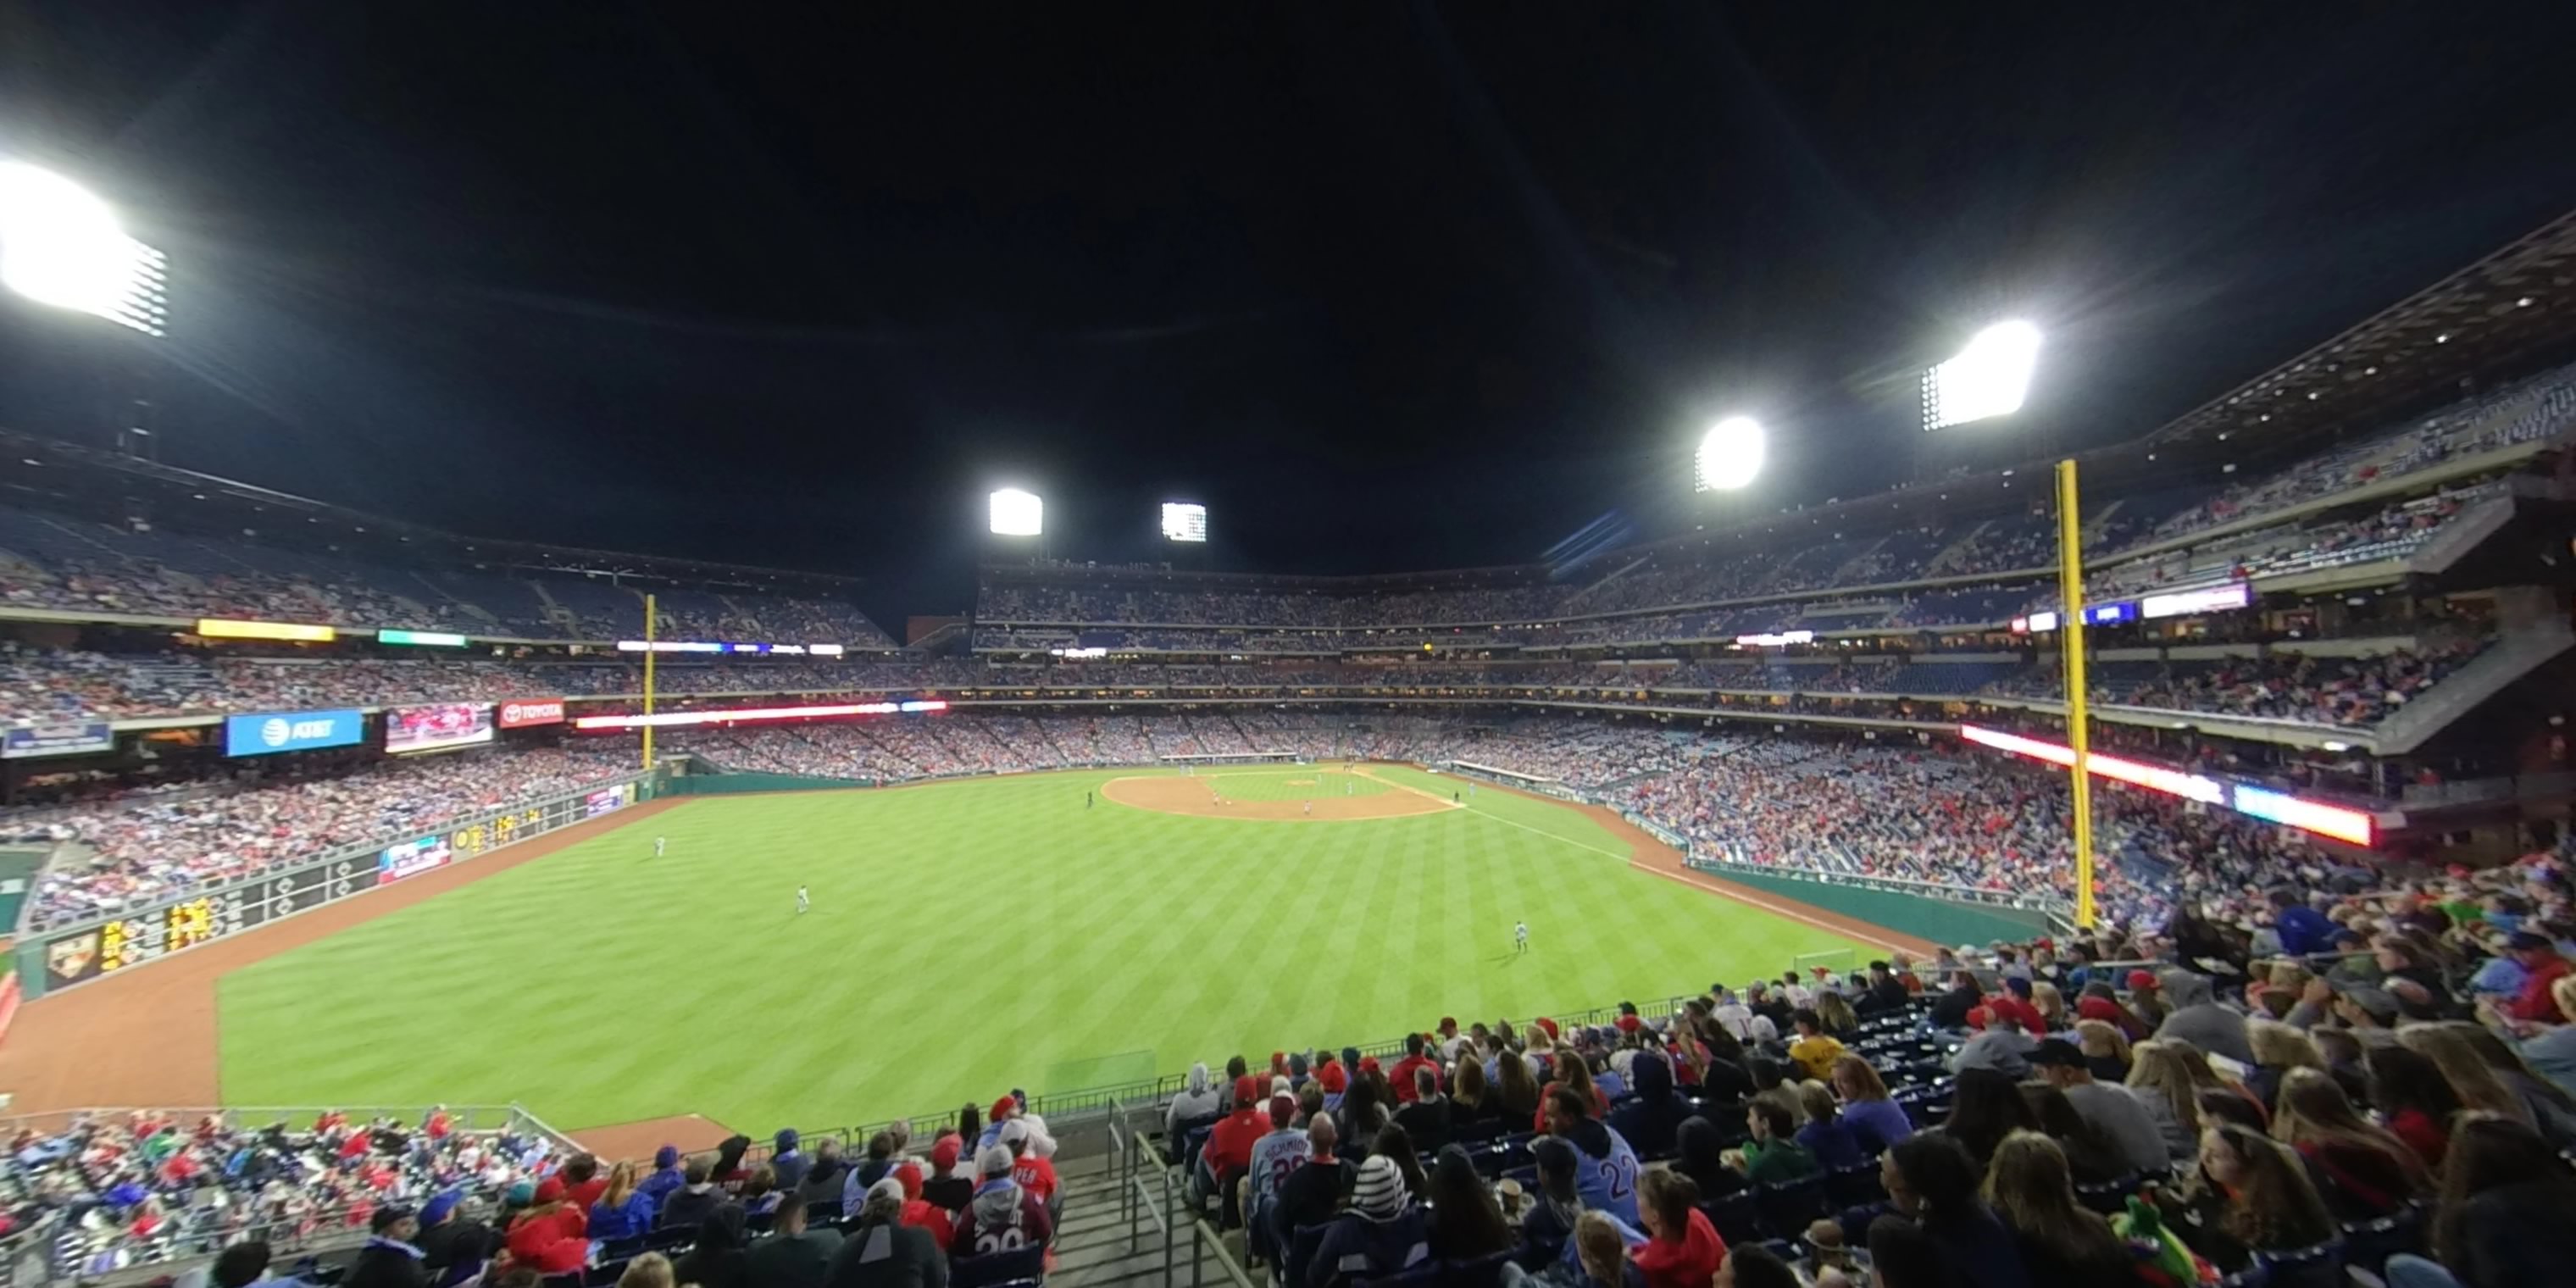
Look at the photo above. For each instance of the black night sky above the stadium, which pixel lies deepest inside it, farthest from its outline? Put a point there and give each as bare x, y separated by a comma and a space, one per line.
1382, 285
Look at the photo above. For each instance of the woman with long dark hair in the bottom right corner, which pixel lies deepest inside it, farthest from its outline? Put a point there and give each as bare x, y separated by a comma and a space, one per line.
2505, 1215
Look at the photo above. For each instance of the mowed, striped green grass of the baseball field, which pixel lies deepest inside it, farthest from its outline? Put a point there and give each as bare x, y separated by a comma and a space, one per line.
965, 939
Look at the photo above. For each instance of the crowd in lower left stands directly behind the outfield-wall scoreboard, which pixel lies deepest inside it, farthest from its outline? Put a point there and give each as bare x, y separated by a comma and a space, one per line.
148, 846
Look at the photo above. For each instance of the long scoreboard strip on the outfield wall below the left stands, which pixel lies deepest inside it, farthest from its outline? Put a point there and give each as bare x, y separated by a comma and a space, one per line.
102, 949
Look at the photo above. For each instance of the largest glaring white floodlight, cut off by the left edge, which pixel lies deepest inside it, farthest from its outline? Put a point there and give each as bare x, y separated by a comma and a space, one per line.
63, 246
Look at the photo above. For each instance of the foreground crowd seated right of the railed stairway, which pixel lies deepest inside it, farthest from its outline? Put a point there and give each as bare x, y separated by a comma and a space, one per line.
2273, 1091
